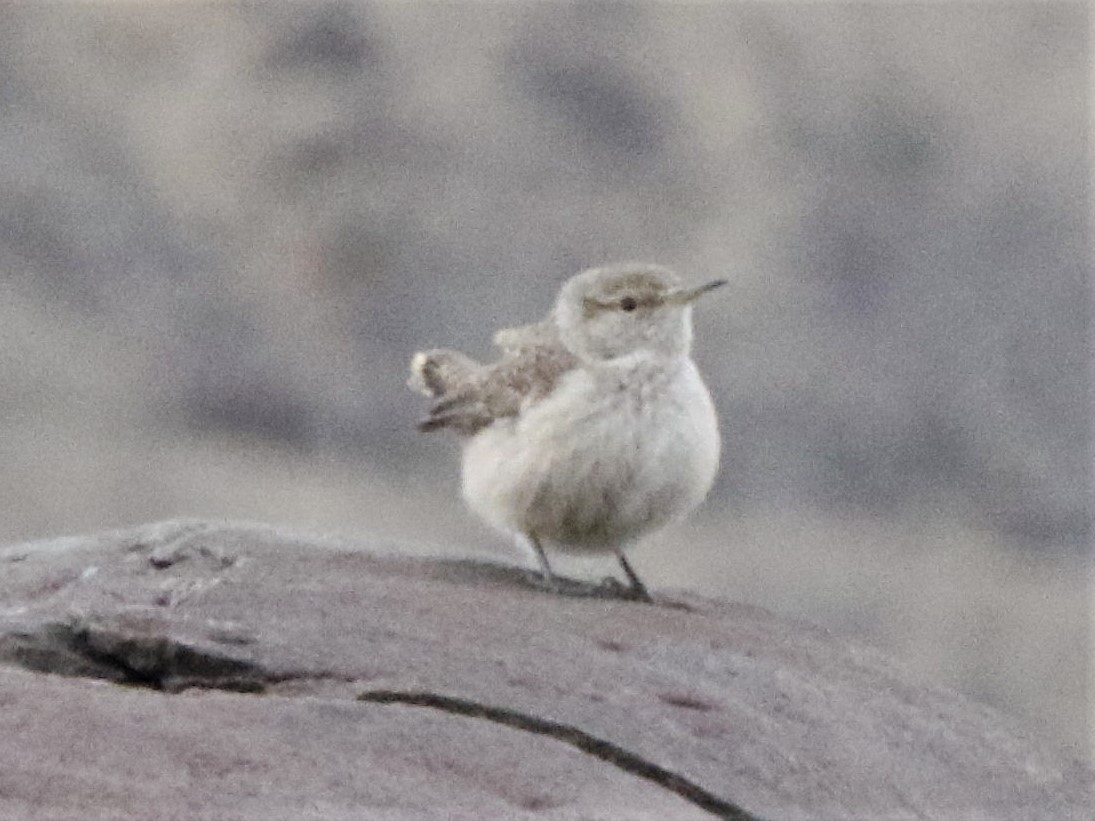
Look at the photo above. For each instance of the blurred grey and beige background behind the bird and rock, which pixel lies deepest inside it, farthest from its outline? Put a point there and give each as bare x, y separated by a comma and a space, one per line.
225, 228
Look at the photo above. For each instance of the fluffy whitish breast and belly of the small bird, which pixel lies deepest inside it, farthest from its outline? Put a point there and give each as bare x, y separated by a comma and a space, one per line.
612, 455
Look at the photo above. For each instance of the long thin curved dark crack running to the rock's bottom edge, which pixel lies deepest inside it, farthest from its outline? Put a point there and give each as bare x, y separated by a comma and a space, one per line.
592, 745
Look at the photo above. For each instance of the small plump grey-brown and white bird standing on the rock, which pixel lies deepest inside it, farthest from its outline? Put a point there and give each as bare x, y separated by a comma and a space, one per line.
594, 429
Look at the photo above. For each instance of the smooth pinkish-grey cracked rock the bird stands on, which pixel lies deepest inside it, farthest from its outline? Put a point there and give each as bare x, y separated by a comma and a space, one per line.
192, 670
